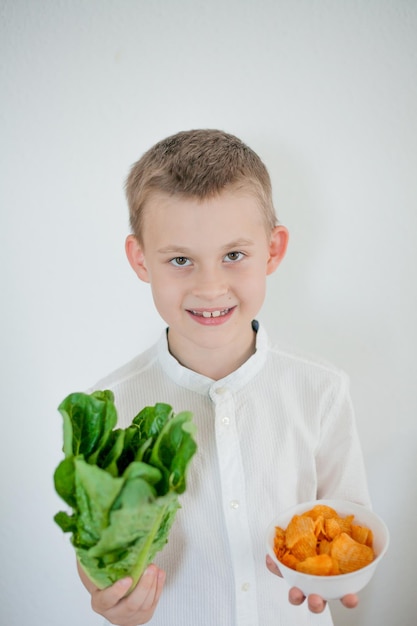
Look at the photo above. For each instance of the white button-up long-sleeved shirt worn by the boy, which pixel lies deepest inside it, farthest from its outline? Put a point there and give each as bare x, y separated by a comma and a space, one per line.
277, 431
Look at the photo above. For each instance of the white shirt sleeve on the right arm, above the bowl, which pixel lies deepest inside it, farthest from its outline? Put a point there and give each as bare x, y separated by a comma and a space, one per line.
339, 459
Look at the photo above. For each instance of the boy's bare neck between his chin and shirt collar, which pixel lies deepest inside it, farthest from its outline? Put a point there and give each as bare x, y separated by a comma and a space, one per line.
214, 363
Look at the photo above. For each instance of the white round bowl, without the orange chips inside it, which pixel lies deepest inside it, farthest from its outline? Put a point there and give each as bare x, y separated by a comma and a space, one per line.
332, 587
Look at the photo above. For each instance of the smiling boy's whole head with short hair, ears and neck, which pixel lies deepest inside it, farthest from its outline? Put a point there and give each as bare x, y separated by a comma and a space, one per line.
205, 237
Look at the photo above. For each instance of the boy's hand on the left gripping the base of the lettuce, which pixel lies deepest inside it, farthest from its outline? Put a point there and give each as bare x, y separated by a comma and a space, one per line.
134, 609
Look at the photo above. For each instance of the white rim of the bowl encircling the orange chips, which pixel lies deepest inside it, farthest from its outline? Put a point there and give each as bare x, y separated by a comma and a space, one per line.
333, 503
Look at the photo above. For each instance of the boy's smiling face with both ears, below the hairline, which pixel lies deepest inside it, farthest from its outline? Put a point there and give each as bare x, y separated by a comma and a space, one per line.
207, 263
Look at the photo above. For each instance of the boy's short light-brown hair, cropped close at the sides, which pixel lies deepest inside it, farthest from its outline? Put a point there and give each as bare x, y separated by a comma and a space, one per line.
197, 164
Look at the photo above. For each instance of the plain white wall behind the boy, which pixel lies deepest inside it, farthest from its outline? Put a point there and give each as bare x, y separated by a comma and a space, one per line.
325, 92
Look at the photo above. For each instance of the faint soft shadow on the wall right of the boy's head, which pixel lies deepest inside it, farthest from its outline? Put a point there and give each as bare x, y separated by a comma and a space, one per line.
298, 205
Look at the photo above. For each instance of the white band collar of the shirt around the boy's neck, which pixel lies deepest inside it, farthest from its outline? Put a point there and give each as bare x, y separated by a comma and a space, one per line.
203, 385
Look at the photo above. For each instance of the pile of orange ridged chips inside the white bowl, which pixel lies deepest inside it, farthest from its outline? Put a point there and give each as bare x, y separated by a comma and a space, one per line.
323, 543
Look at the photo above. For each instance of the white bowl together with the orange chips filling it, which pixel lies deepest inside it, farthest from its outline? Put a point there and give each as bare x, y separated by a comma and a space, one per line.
328, 547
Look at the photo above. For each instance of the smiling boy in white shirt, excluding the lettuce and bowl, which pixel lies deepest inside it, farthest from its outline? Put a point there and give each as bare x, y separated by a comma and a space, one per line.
272, 427
